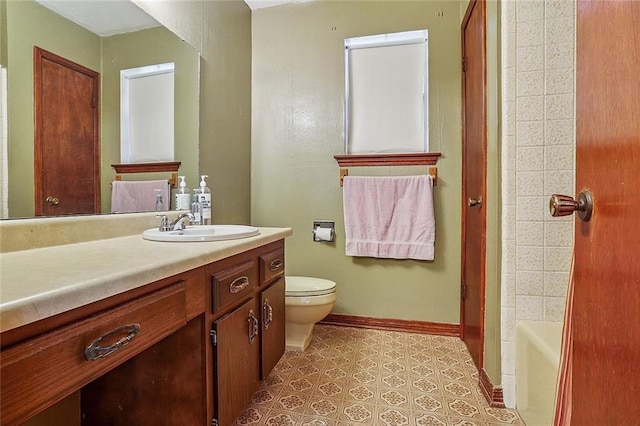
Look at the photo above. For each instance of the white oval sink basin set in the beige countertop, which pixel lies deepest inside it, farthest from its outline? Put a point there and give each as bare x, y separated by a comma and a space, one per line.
202, 233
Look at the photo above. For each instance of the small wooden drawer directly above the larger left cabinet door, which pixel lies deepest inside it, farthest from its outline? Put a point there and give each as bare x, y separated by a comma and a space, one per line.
233, 284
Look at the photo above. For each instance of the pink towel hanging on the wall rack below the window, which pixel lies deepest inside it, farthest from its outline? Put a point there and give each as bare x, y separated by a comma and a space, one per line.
389, 217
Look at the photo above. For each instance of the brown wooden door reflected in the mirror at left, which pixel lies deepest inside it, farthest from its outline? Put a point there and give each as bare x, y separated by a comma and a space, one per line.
67, 144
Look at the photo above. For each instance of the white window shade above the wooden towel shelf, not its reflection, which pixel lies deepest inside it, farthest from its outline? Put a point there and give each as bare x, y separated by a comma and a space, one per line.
386, 93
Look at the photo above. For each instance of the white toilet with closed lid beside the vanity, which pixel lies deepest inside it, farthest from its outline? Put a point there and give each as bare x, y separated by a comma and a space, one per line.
308, 300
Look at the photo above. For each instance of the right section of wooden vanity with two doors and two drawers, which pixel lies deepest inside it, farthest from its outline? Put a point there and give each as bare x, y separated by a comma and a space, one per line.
247, 326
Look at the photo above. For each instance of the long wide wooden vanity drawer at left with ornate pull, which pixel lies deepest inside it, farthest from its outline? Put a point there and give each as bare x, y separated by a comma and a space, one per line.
41, 371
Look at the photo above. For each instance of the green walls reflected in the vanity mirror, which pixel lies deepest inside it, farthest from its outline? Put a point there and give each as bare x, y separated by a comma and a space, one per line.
27, 24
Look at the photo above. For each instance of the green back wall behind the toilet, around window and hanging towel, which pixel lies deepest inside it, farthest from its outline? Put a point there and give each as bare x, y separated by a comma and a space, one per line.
297, 110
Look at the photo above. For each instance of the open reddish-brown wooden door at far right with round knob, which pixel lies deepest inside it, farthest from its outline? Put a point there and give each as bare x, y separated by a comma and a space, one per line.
606, 304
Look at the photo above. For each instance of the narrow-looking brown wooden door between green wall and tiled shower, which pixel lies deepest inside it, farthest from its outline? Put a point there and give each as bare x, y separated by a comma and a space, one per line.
473, 180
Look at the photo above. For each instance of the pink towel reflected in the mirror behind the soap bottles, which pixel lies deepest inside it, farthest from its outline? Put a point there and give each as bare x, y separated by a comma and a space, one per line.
138, 196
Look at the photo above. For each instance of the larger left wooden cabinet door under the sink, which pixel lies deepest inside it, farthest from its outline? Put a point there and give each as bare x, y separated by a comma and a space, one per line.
237, 361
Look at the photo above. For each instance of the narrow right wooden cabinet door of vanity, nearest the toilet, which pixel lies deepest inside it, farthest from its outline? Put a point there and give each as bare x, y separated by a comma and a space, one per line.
273, 333
